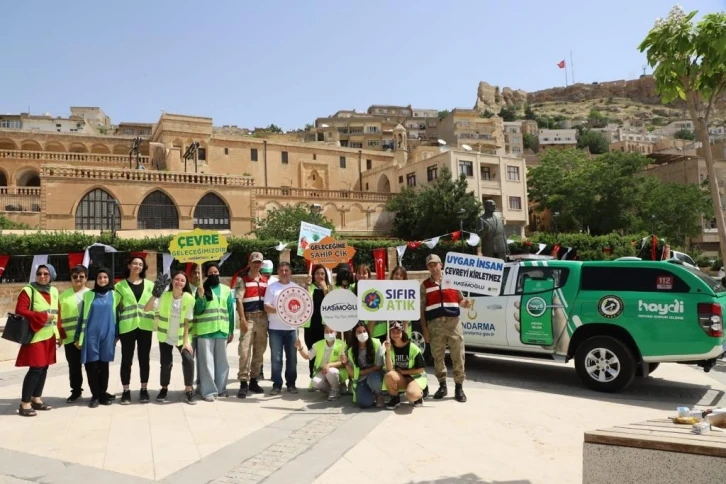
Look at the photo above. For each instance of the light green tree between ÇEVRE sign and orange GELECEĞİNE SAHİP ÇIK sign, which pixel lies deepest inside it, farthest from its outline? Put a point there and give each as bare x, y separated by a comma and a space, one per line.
284, 223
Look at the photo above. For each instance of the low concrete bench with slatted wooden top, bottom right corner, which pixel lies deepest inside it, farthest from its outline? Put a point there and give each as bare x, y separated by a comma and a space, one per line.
653, 452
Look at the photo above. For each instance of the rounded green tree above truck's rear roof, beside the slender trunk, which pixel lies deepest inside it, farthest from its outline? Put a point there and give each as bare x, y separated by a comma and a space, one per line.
673, 210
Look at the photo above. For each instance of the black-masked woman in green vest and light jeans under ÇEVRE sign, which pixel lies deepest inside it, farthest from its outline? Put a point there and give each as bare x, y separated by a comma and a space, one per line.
214, 326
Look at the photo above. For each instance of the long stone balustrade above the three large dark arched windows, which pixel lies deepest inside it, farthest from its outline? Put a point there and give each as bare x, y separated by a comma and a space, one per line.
143, 176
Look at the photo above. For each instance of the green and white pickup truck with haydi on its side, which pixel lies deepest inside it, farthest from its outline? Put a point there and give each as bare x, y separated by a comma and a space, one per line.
617, 319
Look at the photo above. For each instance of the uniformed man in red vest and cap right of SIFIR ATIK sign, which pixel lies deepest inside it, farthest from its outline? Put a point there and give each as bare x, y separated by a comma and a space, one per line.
441, 327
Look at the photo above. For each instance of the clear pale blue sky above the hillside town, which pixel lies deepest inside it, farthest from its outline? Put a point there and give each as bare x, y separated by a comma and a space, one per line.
288, 62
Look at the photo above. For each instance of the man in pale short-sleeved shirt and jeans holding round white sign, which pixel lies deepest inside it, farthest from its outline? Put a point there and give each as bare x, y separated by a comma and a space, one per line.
282, 336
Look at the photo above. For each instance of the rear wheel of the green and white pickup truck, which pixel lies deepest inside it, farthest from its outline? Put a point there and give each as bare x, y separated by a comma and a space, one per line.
605, 364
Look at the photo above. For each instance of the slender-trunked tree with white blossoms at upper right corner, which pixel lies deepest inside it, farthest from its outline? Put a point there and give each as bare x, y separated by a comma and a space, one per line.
689, 61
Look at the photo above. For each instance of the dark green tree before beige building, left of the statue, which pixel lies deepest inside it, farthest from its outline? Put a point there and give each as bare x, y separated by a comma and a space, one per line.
434, 209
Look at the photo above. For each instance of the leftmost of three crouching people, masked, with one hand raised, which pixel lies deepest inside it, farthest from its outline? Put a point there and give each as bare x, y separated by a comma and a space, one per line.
329, 369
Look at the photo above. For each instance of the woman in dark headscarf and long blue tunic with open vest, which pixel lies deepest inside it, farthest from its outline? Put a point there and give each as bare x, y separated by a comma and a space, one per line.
96, 335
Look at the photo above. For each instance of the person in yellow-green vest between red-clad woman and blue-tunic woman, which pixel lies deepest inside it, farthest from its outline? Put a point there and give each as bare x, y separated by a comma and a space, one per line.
68, 314
